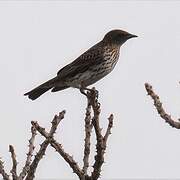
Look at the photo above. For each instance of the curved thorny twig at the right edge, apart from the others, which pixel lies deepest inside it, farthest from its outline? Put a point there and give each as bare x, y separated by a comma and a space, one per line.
159, 107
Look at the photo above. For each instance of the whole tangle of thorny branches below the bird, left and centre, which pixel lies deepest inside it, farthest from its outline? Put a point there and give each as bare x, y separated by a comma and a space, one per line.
29, 169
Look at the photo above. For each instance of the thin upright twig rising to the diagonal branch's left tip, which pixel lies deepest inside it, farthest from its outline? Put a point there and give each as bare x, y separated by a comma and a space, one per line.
29, 154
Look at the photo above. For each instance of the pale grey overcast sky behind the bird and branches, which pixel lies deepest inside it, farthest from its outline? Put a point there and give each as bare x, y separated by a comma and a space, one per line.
39, 38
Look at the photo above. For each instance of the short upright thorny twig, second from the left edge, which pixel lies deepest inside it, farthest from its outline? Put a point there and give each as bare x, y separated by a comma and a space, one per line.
14, 162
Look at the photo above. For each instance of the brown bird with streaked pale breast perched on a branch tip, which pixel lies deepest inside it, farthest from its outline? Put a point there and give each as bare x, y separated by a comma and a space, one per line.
88, 68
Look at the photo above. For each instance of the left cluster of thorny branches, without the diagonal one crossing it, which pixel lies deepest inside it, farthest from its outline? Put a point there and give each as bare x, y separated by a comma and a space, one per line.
29, 169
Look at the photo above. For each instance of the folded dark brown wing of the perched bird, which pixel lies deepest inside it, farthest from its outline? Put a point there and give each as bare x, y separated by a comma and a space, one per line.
84, 62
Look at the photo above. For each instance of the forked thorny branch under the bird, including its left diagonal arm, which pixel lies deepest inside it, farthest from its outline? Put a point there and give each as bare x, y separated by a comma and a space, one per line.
92, 103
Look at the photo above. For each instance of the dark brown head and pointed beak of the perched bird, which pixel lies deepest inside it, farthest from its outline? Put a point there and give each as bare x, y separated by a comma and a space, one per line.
118, 36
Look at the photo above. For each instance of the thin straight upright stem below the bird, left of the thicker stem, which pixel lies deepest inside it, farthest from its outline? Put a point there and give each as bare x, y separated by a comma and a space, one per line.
88, 129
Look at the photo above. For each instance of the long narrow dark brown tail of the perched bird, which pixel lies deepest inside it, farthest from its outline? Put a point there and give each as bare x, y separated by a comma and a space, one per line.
38, 91
